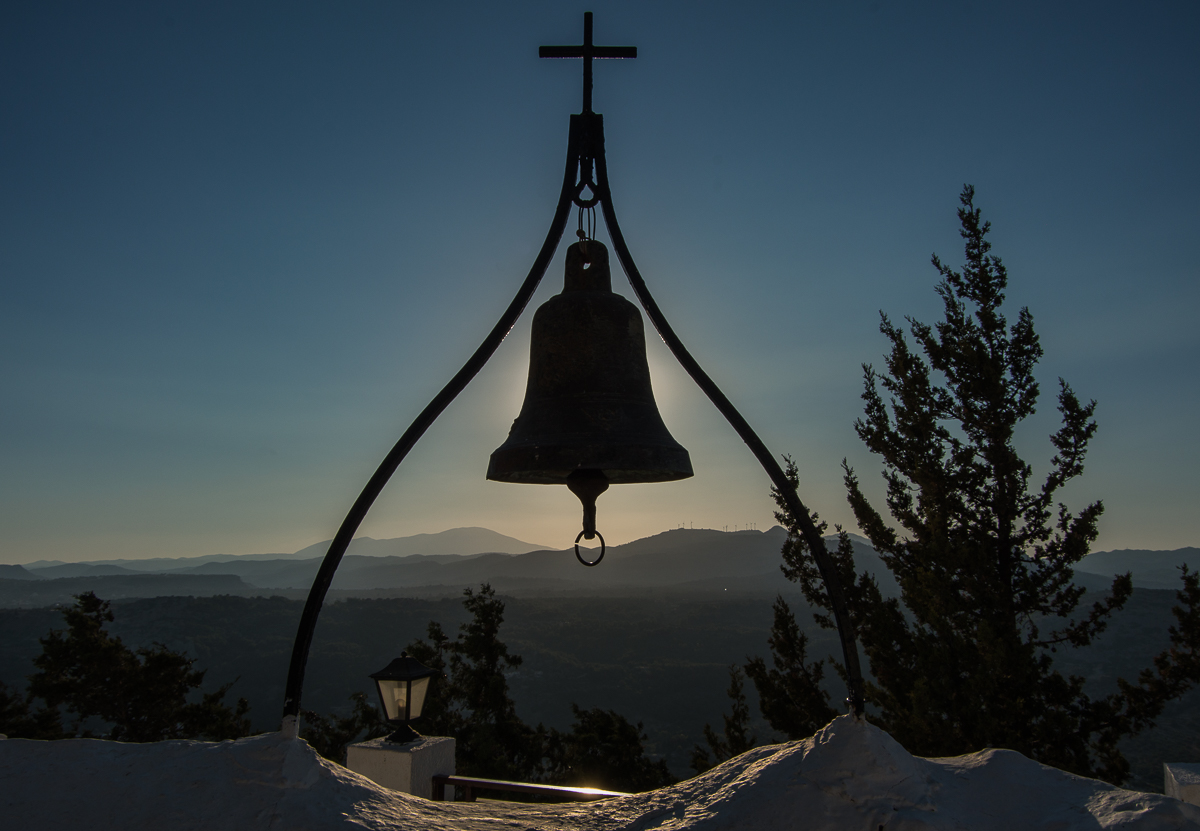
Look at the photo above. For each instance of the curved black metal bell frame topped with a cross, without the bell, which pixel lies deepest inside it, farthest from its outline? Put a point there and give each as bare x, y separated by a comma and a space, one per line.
586, 171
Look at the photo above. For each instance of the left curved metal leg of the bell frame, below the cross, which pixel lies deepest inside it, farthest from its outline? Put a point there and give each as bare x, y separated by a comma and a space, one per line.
358, 512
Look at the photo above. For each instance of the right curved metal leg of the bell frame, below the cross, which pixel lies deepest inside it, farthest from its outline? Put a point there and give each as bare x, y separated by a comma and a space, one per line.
808, 529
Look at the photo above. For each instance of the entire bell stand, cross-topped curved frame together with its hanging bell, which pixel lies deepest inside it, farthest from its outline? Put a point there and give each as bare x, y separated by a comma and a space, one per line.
589, 420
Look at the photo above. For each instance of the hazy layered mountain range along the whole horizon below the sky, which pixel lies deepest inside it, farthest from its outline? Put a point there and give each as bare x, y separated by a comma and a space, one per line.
683, 560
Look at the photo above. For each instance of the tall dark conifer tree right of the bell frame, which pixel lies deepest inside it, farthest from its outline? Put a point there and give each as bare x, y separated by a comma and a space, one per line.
964, 659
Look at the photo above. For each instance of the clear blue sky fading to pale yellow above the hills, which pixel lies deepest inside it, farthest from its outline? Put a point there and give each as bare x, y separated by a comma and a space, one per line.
244, 244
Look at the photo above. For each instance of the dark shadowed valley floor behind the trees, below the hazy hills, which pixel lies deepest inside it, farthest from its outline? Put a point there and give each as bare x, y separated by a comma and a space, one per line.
663, 662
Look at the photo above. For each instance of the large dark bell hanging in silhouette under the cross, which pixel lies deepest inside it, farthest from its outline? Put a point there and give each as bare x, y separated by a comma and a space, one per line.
590, 419
